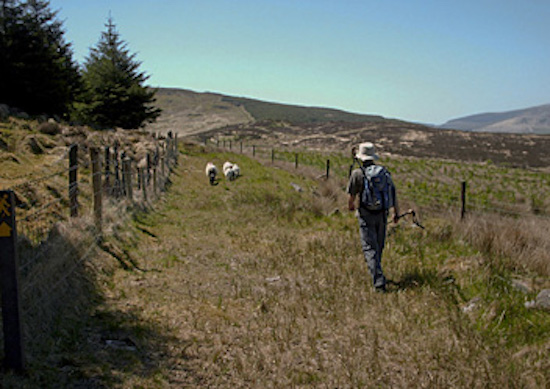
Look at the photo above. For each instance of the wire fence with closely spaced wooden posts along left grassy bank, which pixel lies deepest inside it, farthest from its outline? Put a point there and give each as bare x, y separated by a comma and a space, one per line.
58, 216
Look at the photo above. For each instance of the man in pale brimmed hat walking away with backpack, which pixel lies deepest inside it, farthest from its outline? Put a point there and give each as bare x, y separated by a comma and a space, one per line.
373, 185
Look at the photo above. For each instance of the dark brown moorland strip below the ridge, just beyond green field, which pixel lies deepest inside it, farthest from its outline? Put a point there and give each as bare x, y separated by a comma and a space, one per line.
394, 138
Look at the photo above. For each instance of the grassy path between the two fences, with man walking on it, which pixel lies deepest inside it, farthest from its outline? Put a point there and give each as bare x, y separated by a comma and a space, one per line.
247, 284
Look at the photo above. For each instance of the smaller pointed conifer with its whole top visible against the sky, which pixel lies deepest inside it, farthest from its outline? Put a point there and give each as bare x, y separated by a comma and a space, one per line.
115, 95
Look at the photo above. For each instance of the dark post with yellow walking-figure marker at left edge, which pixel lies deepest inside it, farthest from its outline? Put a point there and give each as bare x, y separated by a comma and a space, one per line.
9, 280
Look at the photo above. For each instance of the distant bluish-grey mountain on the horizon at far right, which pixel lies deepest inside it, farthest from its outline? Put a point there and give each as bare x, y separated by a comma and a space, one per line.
534, 120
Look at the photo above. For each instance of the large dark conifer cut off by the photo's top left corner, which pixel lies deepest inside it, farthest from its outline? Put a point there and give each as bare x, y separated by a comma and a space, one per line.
37, 66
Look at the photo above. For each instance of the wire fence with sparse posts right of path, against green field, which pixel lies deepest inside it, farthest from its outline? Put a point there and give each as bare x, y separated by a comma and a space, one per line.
429, 190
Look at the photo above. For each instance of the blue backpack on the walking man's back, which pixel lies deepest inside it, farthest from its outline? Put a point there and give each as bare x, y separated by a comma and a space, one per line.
378, 192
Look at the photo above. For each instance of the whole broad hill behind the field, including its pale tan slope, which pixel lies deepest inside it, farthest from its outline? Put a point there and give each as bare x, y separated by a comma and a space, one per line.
213, 116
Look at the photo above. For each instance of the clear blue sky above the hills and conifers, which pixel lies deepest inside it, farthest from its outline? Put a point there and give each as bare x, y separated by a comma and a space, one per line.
427, 61
